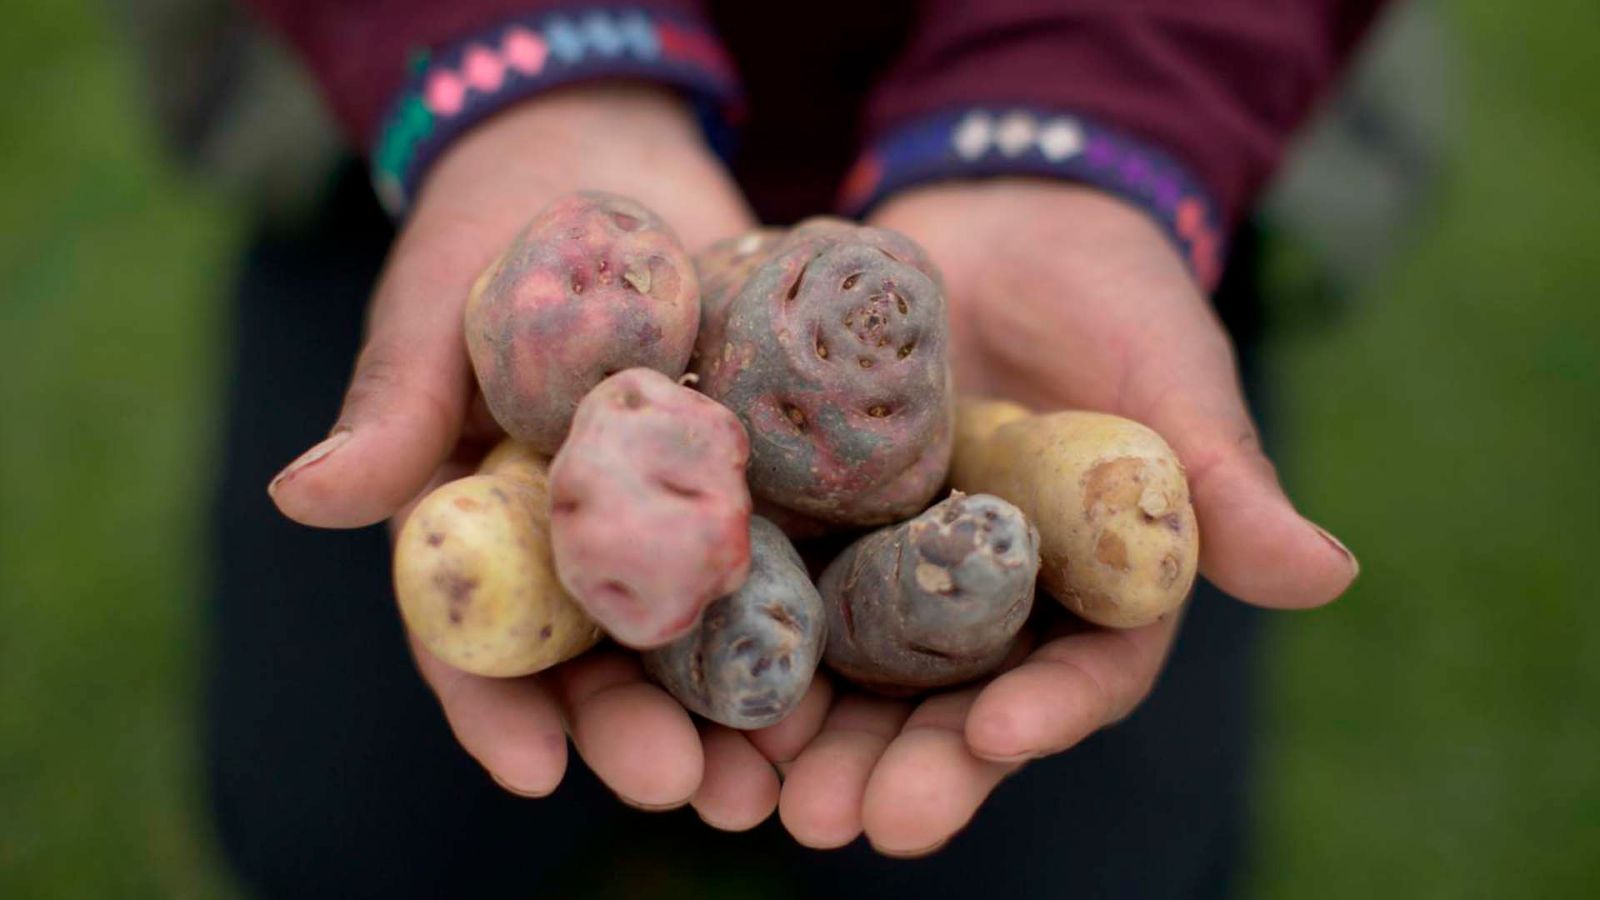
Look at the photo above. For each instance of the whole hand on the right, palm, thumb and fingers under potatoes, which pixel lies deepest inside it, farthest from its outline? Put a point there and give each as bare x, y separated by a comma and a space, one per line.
1060, 297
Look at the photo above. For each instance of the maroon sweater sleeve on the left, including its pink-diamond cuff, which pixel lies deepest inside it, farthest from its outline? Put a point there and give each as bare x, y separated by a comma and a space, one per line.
404, 78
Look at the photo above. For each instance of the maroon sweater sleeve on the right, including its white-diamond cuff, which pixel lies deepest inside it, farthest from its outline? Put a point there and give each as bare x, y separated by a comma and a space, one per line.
1177, 106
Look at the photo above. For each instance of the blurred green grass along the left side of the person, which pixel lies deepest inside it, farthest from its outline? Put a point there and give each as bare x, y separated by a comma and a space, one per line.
111, 273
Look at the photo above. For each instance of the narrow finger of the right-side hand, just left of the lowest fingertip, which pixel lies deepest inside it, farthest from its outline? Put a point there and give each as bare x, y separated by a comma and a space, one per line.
822, 797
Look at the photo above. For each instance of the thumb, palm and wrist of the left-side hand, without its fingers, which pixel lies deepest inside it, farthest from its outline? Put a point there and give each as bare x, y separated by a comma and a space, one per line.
412, 385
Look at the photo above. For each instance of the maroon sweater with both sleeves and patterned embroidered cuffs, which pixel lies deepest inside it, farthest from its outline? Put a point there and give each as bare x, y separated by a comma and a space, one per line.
1180, 106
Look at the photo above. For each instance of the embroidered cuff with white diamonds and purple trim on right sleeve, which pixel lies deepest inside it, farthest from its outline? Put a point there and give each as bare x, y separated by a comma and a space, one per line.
1002, 140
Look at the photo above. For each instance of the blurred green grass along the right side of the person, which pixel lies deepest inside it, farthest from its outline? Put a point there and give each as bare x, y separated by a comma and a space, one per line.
1436, 734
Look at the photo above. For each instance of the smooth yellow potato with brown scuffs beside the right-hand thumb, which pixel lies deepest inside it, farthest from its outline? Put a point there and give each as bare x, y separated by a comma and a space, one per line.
1110, 497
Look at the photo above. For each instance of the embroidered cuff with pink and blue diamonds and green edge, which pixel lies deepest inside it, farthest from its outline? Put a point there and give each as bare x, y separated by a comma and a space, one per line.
465, 82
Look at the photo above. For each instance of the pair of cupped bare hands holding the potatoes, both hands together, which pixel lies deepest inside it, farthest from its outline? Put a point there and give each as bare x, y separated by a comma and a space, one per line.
1060, 297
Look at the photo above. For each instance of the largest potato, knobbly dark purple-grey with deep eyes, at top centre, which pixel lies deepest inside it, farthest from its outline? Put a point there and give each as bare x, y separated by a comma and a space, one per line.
834, 353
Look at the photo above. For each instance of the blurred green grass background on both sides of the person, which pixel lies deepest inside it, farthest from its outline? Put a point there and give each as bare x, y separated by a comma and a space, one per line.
1436, 734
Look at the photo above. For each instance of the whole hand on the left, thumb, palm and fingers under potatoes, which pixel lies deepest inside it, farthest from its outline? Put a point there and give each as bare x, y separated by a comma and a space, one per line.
412, 420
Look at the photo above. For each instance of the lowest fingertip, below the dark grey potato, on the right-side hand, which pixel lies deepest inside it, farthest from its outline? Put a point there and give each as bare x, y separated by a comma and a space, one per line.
927, 785
